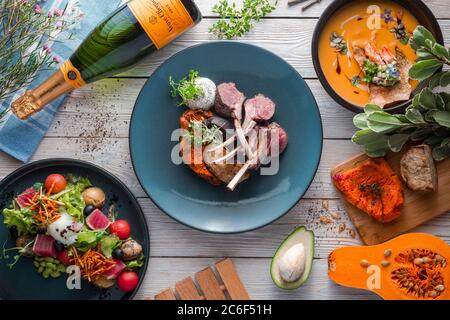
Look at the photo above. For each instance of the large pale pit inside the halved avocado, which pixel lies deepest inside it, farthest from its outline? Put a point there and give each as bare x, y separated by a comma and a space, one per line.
292, 264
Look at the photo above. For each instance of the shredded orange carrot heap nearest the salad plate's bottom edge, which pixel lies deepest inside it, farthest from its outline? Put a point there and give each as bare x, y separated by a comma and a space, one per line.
92, 264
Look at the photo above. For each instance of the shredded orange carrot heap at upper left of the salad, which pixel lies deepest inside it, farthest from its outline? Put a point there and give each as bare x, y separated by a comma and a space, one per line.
46, 209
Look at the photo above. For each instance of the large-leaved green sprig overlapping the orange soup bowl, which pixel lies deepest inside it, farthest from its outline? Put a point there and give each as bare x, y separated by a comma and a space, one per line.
426, 120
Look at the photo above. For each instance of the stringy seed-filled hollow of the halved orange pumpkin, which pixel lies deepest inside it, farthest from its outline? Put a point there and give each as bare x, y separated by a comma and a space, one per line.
419, 273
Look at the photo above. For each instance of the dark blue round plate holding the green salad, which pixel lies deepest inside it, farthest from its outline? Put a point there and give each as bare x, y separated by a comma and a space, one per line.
23, 281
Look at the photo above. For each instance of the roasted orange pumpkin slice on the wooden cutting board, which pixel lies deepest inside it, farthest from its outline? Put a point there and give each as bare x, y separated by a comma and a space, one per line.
374, 188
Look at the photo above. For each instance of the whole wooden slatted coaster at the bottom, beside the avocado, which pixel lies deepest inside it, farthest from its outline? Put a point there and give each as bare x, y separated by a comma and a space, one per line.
211, 287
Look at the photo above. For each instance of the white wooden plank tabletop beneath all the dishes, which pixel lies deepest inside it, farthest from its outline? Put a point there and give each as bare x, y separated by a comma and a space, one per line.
177, 251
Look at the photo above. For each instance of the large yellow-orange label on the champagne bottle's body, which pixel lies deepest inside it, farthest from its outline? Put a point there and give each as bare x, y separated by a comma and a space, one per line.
162, 20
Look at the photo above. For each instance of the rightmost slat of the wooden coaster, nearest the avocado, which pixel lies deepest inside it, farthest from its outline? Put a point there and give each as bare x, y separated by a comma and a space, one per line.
231, 280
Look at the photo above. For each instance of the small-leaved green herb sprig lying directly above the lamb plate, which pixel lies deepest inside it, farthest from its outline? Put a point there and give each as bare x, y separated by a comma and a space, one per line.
234, 22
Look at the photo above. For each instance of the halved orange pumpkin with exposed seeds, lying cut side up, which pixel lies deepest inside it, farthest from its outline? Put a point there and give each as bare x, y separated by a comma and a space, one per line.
413, 266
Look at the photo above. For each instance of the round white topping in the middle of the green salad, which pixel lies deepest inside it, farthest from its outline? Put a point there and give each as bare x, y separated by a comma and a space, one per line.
65, 229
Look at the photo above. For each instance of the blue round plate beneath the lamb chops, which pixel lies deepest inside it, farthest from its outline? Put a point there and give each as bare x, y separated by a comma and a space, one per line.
260, 200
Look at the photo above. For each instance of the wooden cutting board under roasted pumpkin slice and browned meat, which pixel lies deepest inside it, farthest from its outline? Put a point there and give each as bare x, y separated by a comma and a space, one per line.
419, 207
